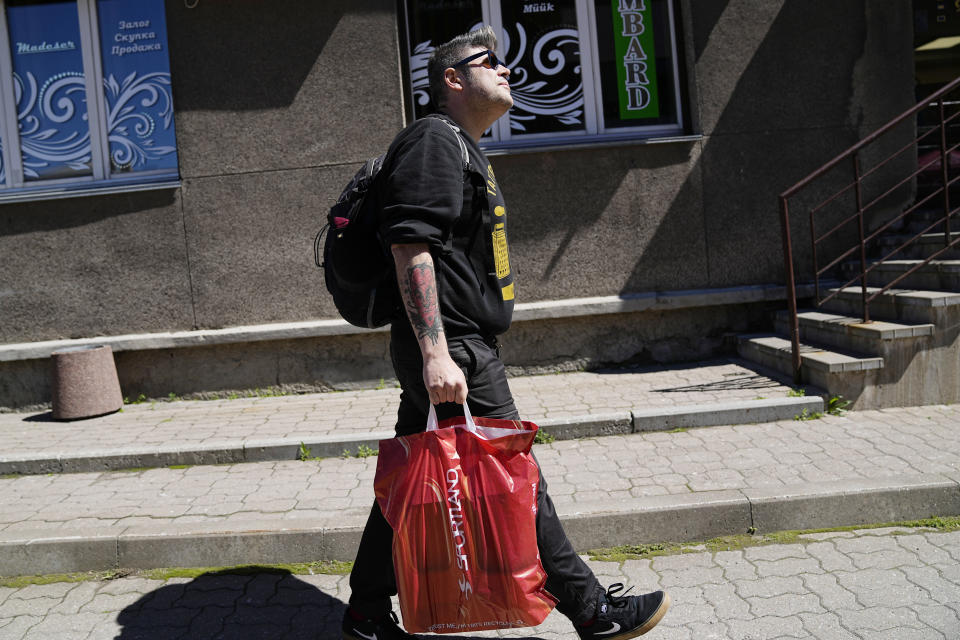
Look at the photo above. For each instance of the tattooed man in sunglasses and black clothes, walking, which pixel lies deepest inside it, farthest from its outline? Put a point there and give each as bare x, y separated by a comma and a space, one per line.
446, 227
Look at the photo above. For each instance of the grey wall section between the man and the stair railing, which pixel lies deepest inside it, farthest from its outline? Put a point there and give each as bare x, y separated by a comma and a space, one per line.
780, 88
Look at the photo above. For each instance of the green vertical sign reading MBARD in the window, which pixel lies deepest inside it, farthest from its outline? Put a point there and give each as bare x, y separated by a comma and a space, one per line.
635, 59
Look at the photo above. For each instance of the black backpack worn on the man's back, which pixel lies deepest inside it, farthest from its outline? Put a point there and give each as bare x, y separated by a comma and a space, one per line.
357, 268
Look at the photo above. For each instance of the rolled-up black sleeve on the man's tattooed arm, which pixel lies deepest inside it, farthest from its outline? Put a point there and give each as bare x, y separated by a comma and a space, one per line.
423, 189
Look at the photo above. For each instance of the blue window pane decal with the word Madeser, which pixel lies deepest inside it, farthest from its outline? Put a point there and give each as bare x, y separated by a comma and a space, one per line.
49, 88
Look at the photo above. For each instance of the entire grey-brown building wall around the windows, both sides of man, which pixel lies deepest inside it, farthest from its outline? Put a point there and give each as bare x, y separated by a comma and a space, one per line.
278, 103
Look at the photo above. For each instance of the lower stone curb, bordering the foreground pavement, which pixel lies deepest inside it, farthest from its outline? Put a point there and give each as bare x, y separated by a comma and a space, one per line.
676, 518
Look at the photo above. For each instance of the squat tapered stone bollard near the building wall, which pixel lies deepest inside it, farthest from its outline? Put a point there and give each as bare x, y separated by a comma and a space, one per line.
85, 383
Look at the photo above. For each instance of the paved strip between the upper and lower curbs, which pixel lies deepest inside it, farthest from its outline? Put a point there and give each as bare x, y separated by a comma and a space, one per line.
606, 471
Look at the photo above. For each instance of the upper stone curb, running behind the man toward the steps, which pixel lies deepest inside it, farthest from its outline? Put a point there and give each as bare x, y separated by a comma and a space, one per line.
262, 450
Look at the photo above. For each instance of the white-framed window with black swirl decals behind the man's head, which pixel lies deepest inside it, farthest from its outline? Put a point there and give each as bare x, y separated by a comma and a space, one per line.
582, 71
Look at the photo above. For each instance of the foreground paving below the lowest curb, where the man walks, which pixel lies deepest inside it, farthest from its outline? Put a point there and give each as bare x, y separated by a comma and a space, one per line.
882, 584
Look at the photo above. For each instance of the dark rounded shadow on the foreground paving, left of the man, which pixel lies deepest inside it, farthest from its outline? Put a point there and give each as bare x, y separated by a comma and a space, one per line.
251, 603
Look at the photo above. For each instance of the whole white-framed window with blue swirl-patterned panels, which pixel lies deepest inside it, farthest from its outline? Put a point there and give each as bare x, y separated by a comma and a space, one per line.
85, 98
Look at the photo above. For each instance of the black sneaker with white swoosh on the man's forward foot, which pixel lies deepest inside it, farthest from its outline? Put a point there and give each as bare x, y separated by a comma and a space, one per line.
622, 617
